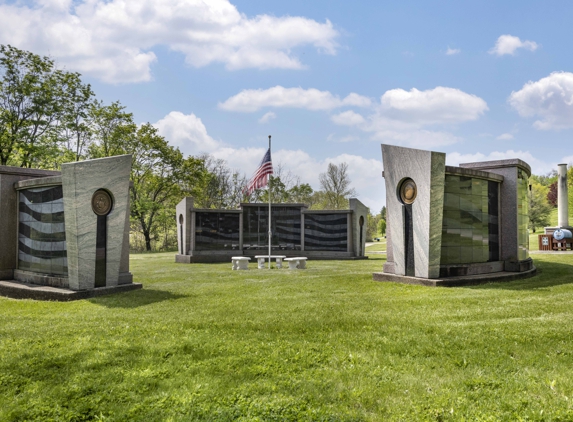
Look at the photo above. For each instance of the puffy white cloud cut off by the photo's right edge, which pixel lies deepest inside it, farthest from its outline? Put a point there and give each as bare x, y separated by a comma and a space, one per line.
550, 98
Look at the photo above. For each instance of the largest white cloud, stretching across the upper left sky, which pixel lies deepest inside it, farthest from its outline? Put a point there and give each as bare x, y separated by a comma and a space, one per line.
112, 40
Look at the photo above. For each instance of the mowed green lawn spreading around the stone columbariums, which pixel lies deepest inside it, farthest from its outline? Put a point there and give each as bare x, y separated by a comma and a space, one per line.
202, 342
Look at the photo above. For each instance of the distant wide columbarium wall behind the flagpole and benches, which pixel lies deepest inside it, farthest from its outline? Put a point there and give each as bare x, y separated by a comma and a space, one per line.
215, 235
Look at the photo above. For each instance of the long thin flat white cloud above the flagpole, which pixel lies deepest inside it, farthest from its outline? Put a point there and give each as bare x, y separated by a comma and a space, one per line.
250, 100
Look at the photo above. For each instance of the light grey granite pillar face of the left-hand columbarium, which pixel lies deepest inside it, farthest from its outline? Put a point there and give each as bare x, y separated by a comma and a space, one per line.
80, 180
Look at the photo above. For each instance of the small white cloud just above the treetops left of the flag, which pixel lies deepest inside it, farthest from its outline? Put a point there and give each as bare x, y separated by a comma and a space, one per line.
187, 132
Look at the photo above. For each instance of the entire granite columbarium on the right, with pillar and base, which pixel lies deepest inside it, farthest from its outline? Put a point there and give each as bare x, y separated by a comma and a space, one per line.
454, 225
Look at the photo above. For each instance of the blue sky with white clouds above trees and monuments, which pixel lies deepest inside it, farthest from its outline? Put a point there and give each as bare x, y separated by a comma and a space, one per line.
329, 80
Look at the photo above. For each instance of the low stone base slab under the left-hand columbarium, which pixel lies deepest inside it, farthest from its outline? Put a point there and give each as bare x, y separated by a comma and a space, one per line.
18, 290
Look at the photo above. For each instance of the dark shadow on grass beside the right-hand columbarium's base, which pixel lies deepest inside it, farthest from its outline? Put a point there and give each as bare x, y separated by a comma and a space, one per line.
549, 274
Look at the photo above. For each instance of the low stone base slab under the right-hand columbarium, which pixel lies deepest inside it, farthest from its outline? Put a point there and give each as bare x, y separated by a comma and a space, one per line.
468, 280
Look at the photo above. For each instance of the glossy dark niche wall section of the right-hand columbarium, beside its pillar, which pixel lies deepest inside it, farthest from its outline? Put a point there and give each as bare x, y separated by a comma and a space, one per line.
485, 217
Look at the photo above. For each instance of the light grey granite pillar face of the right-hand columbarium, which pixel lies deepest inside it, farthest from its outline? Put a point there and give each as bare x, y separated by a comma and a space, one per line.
427, 169
